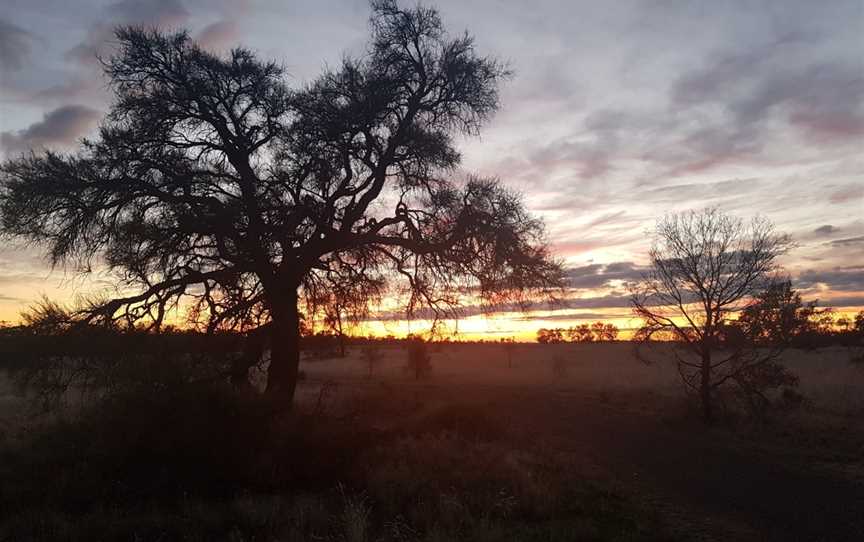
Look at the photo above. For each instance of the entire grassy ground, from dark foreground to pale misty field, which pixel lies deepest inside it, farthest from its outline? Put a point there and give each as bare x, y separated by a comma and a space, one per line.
571, 442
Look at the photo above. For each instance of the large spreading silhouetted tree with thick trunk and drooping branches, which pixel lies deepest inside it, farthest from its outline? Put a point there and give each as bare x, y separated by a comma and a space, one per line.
212, 183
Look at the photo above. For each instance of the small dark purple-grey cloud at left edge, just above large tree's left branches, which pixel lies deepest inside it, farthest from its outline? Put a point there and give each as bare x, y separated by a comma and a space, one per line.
60, 127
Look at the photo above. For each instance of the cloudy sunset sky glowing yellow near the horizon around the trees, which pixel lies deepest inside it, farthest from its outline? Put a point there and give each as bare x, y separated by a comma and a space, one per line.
617, 113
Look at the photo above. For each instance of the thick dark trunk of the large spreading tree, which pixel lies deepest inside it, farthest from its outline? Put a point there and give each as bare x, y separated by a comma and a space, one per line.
284, 349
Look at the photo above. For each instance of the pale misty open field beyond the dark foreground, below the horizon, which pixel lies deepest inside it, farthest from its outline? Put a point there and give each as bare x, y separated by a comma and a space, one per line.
828, 379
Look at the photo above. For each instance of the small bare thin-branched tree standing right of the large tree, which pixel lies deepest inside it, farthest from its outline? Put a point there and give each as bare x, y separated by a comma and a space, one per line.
705, 267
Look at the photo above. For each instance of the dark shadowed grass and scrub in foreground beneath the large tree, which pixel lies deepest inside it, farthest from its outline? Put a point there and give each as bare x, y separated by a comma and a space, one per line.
201, 463
